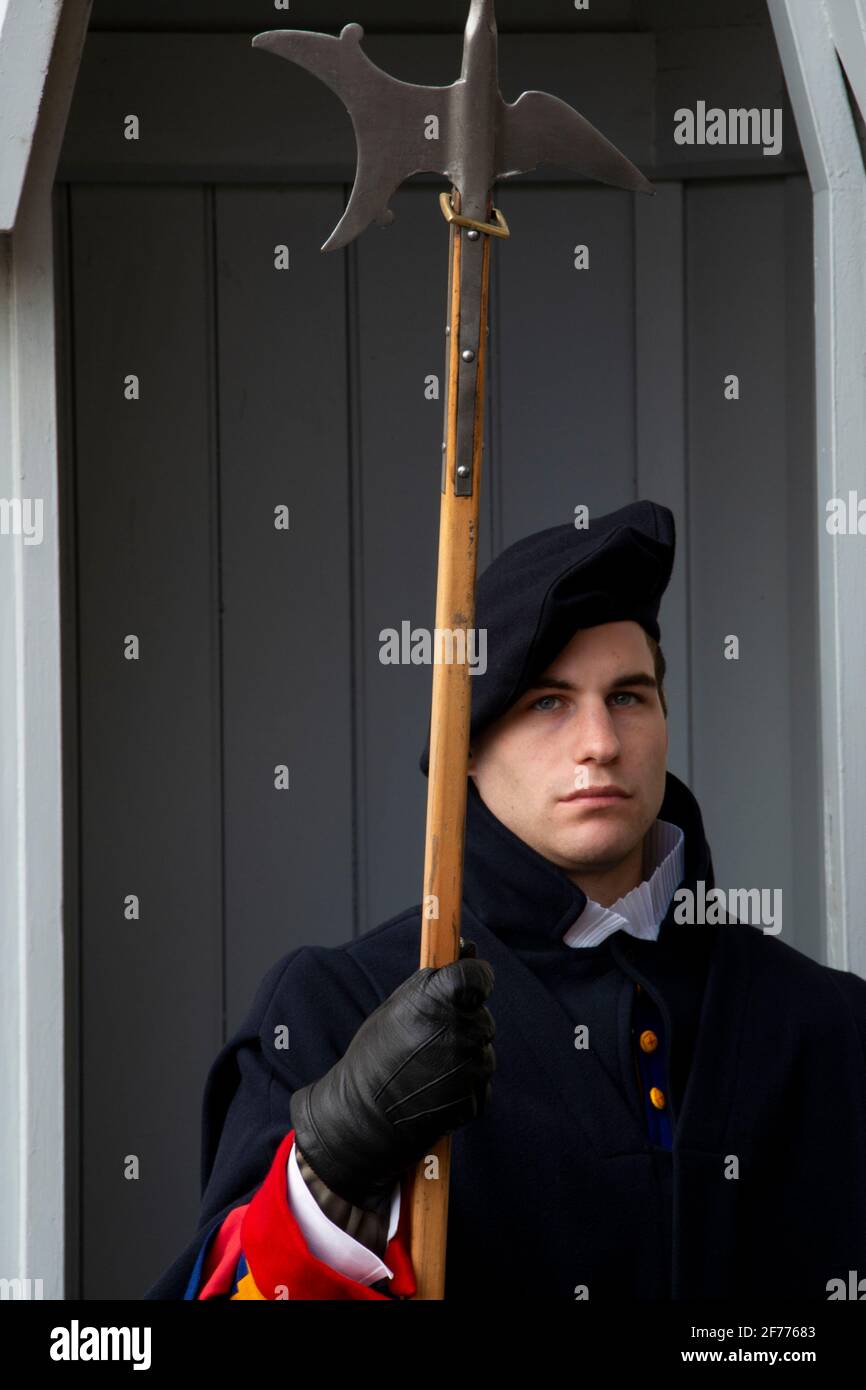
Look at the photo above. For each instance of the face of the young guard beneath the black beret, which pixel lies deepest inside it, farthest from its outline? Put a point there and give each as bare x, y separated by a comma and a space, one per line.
593, 719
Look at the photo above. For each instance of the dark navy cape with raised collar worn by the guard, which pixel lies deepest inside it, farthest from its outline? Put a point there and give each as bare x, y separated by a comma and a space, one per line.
558, 1186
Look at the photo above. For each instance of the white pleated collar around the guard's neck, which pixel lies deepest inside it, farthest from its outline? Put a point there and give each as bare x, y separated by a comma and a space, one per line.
644, 908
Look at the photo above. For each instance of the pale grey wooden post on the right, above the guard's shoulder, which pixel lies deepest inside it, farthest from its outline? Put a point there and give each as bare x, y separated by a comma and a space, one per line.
810, 34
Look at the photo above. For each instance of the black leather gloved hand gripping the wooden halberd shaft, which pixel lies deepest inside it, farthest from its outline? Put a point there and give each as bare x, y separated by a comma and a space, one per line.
416, 1070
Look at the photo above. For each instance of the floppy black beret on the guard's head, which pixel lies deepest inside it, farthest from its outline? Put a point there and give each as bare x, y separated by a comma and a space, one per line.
540, 591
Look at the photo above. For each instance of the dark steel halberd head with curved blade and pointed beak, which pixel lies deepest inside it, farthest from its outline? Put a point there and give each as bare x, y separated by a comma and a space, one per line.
464, 131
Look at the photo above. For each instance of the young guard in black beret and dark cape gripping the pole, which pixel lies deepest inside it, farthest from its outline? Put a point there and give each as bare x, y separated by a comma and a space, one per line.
673, 1110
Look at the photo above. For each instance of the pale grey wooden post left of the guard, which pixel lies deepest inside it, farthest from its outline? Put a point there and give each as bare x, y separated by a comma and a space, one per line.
41, 44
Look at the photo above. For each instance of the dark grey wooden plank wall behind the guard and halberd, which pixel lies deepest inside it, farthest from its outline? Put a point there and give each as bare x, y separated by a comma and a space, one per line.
209, 650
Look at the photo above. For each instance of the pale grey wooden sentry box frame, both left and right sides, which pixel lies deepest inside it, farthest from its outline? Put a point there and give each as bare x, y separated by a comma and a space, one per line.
41, 42
